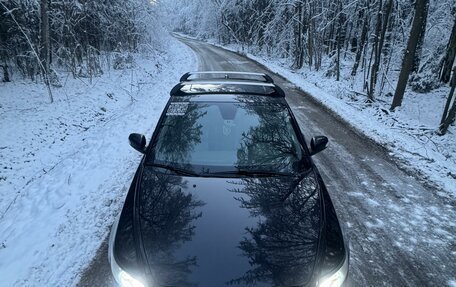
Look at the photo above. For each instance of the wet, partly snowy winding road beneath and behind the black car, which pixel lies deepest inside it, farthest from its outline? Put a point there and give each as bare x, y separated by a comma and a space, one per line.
401, 232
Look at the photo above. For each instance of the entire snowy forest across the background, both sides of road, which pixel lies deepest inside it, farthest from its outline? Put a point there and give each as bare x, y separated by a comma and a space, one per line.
385, 43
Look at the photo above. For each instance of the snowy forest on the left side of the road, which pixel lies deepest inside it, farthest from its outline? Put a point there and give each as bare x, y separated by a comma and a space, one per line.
40, 38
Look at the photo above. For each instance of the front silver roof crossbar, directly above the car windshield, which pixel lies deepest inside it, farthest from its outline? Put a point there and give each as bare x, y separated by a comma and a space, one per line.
227, 87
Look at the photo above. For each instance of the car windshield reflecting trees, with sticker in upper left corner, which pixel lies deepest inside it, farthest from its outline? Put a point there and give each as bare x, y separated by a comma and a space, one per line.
217, 137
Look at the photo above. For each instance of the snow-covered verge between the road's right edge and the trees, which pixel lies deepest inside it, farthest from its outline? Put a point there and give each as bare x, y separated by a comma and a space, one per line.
409, 133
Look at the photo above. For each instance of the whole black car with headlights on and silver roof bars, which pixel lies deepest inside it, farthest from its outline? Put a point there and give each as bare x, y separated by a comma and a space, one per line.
227, 194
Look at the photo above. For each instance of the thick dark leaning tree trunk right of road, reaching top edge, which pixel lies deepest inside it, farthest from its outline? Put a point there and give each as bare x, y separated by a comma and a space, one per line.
409, 57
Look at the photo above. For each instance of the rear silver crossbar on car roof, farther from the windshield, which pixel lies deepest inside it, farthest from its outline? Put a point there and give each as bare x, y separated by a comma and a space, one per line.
232, 75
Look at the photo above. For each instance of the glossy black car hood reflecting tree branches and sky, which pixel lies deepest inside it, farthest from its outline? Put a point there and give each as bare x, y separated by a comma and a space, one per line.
194, 231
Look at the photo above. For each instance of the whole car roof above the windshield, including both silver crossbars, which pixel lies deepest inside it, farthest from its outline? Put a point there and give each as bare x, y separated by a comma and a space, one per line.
220, 82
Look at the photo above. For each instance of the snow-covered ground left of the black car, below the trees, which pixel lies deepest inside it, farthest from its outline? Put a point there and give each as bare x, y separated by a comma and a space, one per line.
65, 167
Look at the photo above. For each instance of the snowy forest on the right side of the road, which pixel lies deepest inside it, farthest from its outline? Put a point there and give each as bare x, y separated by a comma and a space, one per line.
395, 43
